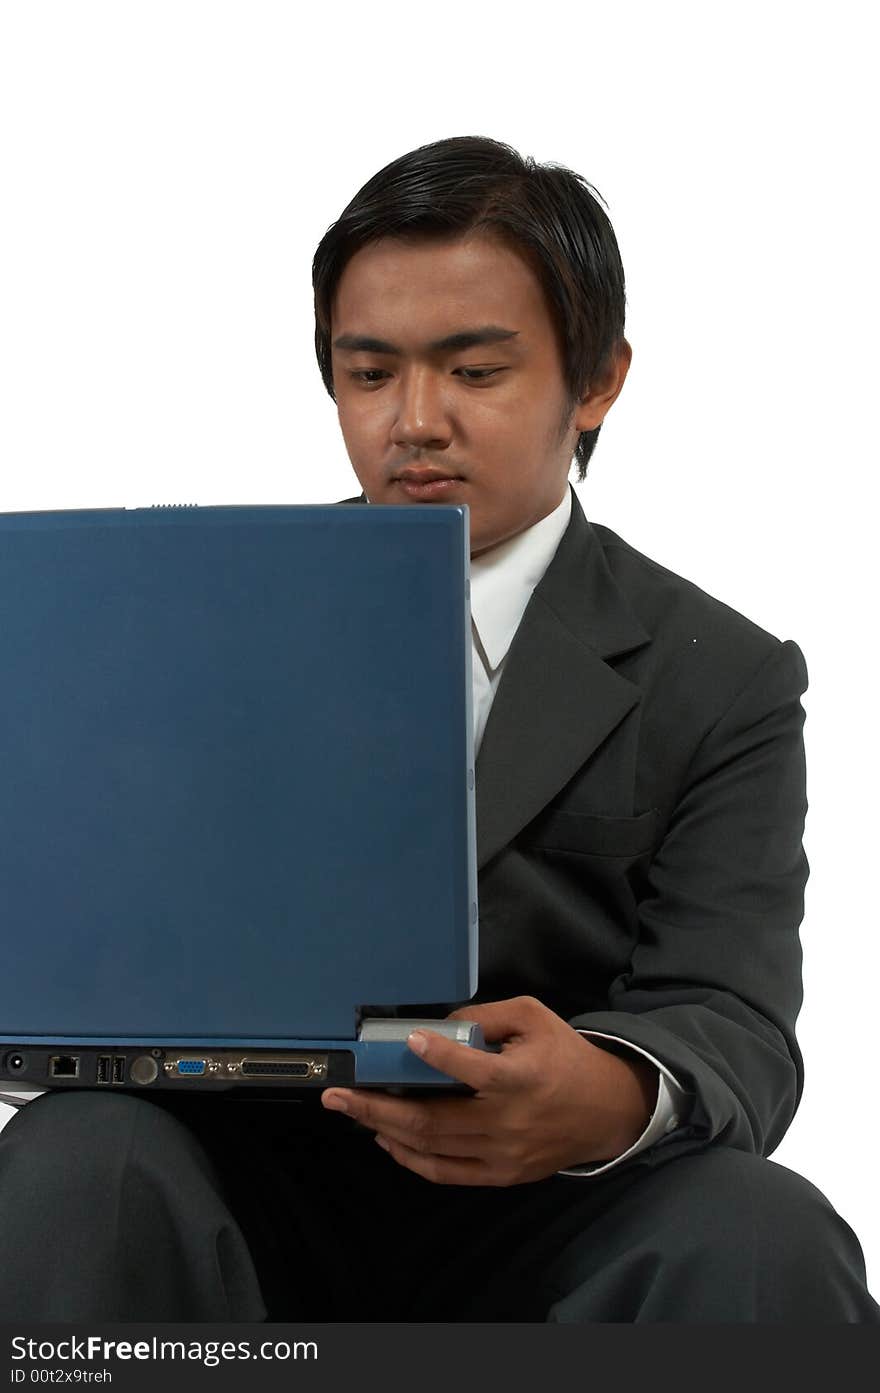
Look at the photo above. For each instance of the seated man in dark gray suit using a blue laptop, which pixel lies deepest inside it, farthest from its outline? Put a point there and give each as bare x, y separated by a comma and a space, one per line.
641, 804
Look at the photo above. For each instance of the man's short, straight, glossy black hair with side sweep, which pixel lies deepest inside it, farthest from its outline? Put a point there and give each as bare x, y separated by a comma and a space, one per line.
547, 212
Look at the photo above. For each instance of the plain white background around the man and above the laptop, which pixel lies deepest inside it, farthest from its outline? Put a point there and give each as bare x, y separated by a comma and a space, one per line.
168, 169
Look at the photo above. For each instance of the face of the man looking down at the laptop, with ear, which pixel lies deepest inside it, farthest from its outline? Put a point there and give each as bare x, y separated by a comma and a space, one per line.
476, 423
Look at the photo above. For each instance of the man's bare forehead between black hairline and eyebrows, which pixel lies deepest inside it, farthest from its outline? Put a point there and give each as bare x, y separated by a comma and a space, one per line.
421, 288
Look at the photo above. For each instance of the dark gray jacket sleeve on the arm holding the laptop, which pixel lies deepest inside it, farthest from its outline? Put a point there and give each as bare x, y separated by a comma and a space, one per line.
714, 984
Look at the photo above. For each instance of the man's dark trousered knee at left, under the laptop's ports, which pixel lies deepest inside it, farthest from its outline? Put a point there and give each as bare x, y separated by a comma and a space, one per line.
108, 1204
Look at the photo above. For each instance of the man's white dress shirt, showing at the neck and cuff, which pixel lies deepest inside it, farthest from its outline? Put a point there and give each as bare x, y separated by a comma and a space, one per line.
502, 584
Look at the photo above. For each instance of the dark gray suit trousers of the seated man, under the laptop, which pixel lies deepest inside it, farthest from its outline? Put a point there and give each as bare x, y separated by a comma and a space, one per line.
113, 1208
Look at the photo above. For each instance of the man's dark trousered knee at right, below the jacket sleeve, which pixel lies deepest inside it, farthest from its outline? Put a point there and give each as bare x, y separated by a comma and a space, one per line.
719, 1236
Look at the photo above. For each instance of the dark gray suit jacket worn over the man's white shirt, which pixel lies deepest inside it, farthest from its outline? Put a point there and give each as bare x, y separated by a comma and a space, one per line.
641, 797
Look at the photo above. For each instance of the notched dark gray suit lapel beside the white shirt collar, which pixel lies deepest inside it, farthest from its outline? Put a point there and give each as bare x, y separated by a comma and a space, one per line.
558, 699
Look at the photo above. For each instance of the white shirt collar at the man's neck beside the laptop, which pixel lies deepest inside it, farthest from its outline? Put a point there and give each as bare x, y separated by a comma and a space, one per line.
502, 582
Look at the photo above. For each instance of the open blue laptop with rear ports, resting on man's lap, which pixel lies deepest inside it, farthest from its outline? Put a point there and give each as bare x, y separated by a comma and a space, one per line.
236, 796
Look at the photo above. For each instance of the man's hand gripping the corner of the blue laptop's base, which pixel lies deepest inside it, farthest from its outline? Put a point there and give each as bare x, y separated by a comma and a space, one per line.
551, 1100
